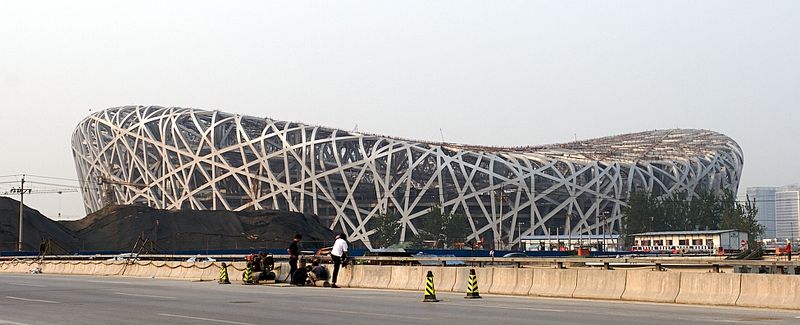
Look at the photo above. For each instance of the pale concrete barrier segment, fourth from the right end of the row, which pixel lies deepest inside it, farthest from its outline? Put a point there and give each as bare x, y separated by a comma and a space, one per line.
600, 284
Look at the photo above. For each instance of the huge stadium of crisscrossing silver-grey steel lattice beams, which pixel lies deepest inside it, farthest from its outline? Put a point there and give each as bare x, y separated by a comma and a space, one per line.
182, 158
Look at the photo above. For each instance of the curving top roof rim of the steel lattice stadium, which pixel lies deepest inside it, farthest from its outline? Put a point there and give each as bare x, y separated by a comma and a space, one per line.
651, 146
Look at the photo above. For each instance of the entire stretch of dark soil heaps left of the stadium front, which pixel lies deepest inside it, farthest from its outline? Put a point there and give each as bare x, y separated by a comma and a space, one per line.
120, 228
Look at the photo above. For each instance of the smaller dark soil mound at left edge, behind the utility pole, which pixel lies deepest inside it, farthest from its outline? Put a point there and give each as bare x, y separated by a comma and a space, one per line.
36, 229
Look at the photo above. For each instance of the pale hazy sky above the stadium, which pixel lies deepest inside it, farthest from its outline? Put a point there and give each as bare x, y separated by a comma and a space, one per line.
490, 72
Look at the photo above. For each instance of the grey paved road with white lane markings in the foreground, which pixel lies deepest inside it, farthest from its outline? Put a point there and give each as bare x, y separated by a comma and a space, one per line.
52, 299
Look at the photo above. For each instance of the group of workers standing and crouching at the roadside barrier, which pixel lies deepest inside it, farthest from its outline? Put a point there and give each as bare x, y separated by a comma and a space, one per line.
316, 274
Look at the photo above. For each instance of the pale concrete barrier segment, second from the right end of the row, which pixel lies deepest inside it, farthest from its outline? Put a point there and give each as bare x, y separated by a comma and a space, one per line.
709, 288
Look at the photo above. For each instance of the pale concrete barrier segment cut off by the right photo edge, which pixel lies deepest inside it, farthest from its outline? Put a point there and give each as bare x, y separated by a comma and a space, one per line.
770, 291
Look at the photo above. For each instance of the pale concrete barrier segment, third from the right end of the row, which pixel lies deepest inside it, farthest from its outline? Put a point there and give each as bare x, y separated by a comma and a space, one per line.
646, 285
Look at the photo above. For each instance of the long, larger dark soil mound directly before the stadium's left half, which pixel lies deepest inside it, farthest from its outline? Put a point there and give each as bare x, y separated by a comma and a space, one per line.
120, 227
